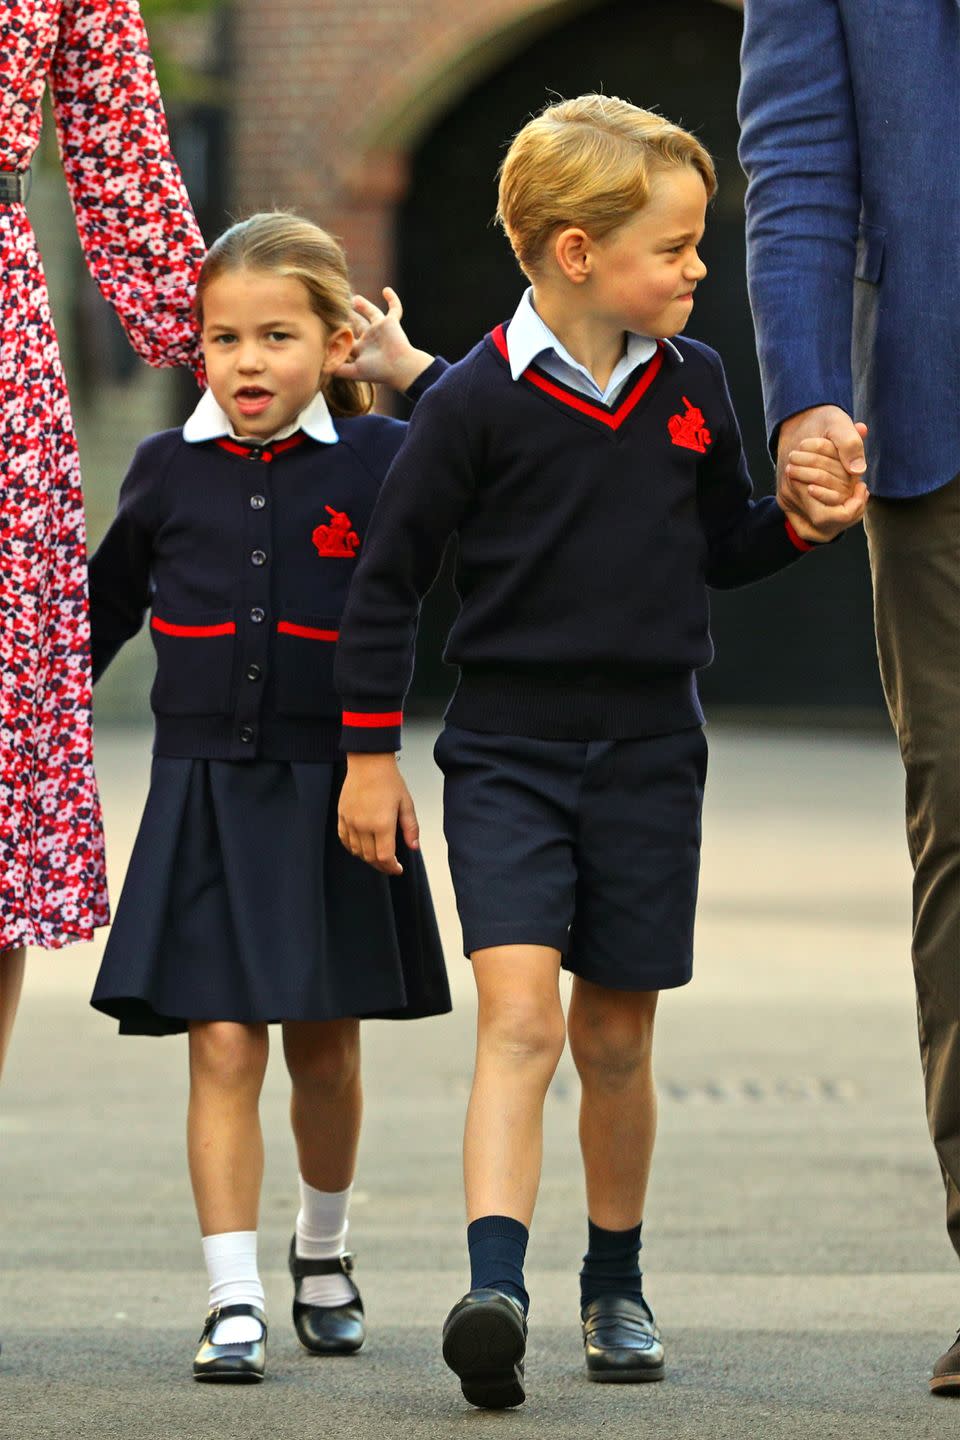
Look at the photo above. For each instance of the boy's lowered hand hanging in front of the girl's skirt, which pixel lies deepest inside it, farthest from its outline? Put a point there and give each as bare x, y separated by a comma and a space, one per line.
373, 803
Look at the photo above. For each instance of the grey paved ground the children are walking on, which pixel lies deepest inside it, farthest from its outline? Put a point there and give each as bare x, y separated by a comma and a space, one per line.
795, 1254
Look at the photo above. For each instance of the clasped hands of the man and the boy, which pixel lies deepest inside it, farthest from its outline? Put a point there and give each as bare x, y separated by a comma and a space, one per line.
828, 495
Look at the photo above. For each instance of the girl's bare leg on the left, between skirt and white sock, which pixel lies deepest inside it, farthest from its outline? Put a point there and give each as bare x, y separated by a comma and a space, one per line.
225, 1143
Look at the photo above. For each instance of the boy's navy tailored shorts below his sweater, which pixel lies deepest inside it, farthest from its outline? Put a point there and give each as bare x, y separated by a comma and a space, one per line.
591, 847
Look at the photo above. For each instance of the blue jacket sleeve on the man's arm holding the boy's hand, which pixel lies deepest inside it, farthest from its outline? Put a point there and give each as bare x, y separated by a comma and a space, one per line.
801, 155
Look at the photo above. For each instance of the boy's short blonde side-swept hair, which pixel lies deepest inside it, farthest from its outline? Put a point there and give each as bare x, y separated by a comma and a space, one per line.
588, 162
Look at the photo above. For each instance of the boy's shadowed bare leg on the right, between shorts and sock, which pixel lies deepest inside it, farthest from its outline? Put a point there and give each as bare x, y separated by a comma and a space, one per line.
612, 1046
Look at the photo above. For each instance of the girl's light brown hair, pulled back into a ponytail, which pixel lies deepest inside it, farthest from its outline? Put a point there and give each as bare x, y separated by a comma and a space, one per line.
284, 244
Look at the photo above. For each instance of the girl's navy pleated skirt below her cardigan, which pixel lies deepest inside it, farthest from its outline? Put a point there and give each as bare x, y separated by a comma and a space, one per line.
243, 905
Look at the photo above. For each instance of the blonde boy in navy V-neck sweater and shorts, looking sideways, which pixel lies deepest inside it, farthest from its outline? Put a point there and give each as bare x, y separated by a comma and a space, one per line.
594, 474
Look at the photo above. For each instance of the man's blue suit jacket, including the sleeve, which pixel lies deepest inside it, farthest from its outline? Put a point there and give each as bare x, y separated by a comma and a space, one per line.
851, 145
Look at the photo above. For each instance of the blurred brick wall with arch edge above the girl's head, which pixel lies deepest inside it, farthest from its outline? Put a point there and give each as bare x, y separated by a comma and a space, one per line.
330, 97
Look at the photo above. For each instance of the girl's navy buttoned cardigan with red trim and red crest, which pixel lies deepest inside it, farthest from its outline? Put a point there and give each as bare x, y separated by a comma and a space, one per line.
244, 555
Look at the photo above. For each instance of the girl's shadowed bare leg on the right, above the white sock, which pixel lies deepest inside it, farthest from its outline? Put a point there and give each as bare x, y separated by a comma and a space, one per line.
323, 1059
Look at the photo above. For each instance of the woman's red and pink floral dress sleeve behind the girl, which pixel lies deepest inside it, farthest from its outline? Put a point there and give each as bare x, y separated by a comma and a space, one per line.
133, 214
